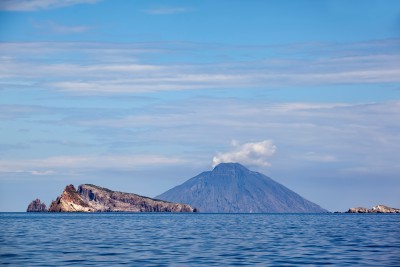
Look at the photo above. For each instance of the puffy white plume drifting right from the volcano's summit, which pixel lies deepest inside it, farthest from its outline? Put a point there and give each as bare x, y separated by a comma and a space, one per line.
256, 153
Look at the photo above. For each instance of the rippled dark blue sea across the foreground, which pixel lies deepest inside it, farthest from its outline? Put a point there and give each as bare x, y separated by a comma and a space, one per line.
107, 239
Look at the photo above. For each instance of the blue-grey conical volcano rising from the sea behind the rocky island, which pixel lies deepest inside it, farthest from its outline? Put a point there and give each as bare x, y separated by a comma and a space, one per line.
231, 187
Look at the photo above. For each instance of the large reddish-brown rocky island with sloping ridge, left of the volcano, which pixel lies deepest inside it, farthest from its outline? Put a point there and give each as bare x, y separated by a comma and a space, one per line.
92, 198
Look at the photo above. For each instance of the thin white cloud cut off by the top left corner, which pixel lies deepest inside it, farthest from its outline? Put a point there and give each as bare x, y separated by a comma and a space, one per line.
33, 5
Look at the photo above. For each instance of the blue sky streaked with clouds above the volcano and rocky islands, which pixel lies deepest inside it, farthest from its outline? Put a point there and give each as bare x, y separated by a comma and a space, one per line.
139, 96
